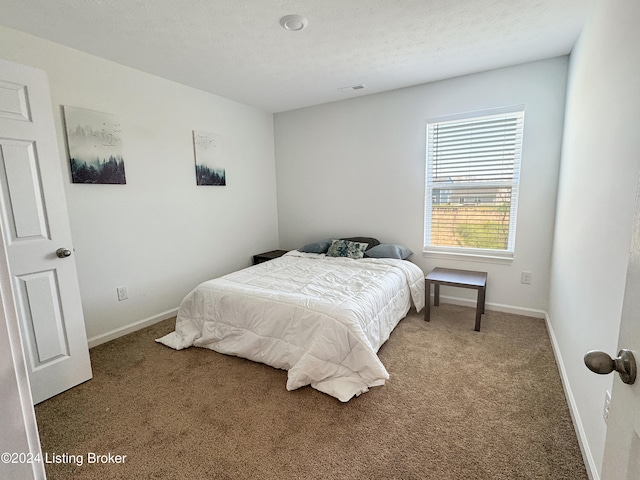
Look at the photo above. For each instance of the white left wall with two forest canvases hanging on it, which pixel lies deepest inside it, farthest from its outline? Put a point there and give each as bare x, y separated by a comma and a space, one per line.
160, 234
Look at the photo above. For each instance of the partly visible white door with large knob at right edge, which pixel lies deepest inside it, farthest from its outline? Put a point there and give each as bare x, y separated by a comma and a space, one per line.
622, 447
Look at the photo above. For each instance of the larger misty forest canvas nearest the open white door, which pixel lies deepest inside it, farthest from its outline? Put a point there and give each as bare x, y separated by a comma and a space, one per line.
95, 146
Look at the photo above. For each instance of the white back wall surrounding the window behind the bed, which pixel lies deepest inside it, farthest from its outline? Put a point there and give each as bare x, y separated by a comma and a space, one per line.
356, 167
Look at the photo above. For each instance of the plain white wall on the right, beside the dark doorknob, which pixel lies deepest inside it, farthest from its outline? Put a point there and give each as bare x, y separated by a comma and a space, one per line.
598, 179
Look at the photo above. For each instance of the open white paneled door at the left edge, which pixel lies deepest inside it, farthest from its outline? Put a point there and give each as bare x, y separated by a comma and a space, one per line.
35, 225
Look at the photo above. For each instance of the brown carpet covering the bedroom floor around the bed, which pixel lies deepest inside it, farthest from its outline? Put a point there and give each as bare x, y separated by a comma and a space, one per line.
459, 405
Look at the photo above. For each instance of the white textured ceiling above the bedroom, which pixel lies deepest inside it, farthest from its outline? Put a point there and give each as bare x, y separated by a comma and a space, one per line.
237, 49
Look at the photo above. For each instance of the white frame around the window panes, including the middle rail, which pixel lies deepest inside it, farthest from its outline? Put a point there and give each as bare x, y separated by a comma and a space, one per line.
470, 253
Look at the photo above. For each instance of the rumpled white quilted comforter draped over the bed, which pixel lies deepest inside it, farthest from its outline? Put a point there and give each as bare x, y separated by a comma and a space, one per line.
321, 318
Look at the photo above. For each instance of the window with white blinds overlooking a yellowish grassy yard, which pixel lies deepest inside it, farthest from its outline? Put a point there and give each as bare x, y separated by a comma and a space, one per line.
473, 172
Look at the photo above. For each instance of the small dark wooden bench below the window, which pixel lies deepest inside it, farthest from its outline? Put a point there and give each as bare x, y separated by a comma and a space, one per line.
455, 278
